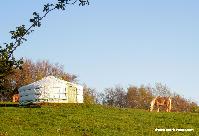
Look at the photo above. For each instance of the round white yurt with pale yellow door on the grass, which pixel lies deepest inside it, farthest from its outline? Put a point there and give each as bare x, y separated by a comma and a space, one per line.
51, 89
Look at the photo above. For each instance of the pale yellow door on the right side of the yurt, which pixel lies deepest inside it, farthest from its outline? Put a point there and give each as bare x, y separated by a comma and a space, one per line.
72, 94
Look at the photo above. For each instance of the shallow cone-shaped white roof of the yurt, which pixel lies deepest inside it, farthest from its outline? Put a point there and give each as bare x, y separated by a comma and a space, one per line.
46, 81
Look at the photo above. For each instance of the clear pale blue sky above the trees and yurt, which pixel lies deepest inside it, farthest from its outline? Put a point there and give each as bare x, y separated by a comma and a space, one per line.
112, 42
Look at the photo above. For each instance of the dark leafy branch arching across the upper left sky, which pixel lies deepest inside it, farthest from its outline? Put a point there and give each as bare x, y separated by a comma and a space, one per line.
7, 60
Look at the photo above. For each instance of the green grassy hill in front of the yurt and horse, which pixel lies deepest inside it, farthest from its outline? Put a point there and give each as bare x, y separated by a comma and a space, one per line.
80, 119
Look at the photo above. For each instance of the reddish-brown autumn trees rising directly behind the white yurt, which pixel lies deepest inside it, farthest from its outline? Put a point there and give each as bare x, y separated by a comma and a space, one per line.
32, 72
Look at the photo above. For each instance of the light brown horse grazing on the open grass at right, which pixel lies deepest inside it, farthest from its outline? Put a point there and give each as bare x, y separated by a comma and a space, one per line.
161, 101
